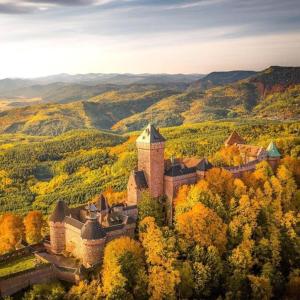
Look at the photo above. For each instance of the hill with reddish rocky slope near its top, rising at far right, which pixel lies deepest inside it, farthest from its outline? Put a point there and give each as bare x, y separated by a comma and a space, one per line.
273, 93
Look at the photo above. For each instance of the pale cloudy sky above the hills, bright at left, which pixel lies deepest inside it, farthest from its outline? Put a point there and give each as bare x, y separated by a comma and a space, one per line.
43, 37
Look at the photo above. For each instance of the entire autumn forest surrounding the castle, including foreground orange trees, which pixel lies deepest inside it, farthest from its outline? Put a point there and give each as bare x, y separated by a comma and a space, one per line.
230, 239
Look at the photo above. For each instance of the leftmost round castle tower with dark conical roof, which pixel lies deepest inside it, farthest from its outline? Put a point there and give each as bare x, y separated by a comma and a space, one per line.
57, 227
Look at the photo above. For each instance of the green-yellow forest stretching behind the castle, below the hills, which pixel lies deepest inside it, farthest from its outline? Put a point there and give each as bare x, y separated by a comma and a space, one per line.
78, 165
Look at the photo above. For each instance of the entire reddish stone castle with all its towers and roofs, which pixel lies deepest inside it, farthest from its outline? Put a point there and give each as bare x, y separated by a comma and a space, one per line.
84, 230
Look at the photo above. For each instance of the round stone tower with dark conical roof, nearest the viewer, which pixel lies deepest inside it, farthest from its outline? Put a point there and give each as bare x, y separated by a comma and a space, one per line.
93, 241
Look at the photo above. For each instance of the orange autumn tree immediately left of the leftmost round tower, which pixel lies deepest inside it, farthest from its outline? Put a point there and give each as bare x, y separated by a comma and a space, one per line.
33, 223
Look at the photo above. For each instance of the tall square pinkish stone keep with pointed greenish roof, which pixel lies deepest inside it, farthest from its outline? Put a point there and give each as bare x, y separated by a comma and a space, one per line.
151, 145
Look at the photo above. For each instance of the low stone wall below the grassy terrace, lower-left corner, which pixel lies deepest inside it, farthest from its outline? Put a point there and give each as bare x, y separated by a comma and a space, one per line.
14, 283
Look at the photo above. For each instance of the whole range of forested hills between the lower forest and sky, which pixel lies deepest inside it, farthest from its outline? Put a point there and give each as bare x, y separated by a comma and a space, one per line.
58, 107
